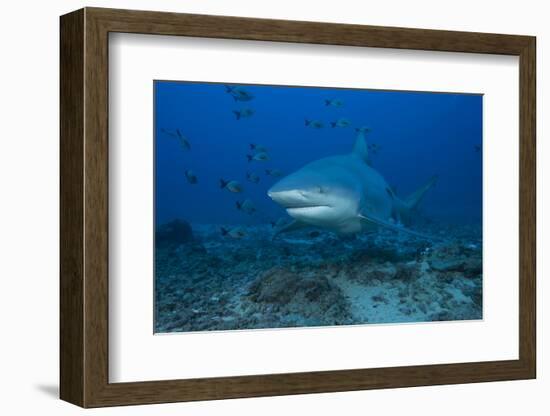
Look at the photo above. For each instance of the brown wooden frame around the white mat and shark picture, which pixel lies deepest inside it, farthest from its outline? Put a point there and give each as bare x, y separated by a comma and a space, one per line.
84, 207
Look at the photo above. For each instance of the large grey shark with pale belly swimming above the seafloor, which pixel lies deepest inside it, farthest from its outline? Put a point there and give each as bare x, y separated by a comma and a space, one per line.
346, 195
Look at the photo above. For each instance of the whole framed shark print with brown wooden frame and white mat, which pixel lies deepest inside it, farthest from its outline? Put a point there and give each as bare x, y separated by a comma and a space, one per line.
260, 207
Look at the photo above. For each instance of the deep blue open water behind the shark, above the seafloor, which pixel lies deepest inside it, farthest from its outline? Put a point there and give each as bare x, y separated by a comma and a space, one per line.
419, 134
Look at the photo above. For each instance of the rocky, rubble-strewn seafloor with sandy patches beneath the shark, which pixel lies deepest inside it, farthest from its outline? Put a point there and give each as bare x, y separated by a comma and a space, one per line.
215, 282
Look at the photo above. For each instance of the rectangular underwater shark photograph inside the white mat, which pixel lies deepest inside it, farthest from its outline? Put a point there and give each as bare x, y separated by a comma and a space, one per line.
288, 206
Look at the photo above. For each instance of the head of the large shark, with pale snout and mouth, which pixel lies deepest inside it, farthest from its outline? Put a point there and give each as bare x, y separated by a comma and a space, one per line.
318, 194
